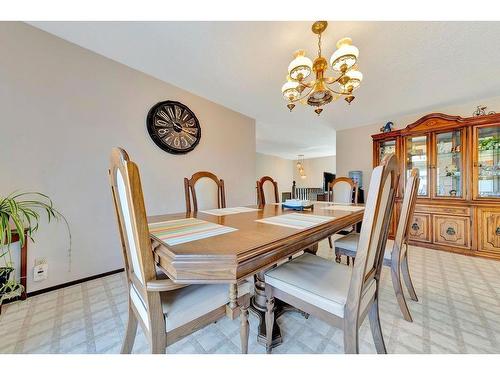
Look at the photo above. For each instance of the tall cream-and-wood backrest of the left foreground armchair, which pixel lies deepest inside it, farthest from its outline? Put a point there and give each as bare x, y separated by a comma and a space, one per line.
133, 228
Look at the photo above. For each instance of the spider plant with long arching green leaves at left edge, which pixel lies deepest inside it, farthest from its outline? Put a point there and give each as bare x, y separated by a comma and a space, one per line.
20, 212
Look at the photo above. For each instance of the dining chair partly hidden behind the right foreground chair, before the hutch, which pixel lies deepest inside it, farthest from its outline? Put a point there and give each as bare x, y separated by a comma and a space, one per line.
396, 256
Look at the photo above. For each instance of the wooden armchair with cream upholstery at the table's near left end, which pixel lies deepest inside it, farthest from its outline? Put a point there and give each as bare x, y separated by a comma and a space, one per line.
166, 311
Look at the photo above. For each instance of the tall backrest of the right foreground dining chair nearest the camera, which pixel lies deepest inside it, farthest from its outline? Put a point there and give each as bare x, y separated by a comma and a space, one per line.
374, 231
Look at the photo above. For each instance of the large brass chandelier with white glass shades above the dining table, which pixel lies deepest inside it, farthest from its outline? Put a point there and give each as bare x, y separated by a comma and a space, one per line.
322, 89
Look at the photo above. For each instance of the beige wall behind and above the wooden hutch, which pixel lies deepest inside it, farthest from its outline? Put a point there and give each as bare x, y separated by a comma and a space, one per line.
354, 146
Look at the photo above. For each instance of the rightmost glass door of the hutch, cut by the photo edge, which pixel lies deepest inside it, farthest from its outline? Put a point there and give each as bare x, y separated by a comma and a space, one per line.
488, 162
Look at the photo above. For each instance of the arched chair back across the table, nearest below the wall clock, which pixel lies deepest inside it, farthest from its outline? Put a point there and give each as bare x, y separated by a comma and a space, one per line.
205, 190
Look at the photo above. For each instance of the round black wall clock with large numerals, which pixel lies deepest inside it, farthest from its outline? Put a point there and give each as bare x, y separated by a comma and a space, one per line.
173, 127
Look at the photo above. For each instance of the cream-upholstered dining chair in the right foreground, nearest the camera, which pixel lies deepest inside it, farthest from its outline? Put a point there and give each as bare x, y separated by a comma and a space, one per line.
334, 292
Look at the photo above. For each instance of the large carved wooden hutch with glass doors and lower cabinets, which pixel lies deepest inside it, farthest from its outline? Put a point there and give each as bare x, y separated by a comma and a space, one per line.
458, 208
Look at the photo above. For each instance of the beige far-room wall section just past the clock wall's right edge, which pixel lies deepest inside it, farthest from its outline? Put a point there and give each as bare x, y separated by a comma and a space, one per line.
281, 170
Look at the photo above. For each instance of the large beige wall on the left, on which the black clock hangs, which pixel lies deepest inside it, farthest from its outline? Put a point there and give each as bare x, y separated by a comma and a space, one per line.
62, 109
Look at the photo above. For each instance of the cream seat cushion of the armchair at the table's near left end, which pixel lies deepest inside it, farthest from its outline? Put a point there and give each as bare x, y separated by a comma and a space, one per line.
184, 305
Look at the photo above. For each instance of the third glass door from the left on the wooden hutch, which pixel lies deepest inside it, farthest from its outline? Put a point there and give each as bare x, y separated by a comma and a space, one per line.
448, 167
